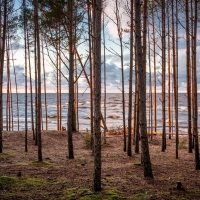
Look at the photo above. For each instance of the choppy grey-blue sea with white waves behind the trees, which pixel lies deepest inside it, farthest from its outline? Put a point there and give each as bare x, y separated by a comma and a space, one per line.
16, 114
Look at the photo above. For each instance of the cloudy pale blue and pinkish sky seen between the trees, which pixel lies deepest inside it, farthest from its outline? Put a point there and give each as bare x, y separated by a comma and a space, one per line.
113, 65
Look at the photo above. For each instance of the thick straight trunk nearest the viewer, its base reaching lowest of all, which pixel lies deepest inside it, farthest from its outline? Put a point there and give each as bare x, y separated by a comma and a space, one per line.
97, 98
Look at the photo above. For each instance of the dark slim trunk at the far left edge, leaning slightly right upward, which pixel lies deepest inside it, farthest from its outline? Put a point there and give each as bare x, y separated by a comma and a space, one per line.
2, 53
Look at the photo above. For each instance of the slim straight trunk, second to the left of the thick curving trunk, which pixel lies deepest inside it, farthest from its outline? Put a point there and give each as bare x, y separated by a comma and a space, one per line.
129, 149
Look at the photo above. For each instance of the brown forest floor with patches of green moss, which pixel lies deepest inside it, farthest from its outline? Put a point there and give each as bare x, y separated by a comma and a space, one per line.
57, 177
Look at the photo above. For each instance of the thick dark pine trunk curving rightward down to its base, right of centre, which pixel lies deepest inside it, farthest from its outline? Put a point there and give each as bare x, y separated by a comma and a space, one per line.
141, 56
